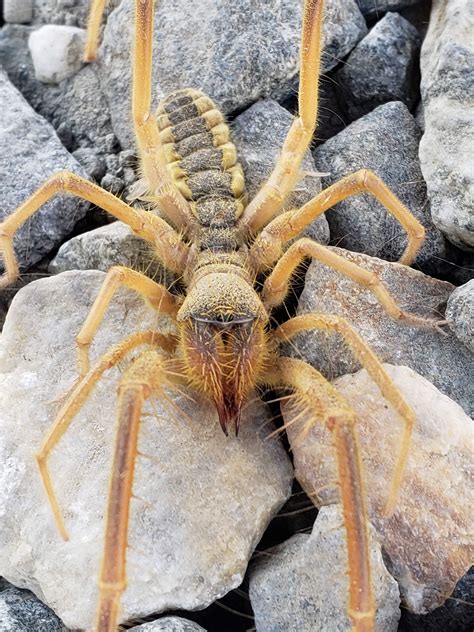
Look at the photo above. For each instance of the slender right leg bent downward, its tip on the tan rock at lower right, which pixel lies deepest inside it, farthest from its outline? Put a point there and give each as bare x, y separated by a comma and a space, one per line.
372, 364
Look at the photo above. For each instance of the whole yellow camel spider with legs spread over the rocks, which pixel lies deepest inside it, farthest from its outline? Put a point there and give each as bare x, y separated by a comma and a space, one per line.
218, 244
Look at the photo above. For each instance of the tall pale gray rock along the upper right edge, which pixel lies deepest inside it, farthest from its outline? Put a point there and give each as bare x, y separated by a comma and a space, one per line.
447, 70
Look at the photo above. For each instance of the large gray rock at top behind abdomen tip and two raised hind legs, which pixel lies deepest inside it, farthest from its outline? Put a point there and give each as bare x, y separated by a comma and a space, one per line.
236, 67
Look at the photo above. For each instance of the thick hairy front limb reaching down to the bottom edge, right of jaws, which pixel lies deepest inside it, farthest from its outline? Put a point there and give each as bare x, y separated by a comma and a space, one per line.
316, 395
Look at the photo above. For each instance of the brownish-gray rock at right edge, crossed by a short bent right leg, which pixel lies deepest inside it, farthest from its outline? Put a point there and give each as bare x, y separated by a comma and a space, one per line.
442, 359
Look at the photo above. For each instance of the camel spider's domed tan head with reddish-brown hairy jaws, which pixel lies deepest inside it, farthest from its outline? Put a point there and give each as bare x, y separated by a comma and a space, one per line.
223, 341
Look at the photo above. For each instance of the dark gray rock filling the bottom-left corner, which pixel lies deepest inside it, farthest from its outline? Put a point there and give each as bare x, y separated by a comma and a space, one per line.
21, 611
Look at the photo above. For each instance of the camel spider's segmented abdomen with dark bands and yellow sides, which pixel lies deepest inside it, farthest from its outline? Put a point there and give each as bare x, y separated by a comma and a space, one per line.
203, 163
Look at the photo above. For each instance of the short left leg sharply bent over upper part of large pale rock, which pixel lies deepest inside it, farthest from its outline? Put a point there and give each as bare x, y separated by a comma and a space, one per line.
155, 295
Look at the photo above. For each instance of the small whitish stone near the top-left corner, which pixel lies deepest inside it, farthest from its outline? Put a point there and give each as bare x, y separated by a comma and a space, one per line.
57, 52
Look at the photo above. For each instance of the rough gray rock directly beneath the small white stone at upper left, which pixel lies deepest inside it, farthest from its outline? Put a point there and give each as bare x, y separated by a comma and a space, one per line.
77, 104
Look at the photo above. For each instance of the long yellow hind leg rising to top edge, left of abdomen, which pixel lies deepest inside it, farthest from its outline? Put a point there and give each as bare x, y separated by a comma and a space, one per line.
153, 162
